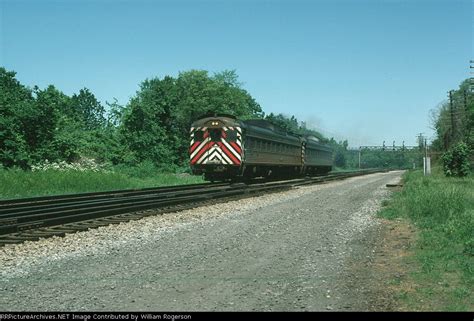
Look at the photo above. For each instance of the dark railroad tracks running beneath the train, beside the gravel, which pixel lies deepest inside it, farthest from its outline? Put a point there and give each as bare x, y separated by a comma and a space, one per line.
30, 219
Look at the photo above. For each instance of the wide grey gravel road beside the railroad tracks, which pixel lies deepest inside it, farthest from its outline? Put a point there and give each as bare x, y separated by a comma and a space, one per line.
279, 252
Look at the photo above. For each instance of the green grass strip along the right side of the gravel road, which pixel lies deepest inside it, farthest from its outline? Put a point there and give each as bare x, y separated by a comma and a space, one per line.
442, 210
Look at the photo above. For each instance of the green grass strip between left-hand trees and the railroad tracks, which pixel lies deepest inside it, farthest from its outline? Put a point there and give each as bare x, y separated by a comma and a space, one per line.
19, 184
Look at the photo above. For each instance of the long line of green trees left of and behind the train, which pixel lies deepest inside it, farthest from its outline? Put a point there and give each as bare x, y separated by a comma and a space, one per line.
45, 124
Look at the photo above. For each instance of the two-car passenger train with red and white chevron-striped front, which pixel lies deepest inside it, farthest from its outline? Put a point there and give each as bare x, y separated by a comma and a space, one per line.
223, 148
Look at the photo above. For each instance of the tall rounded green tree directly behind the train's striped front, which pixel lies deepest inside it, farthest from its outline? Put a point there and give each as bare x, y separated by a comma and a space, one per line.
156, 121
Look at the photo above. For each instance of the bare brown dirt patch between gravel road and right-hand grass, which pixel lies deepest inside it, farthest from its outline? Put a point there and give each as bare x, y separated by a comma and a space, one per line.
375, 280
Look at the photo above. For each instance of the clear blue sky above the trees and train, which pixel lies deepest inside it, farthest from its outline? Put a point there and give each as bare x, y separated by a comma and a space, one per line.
365, 71
